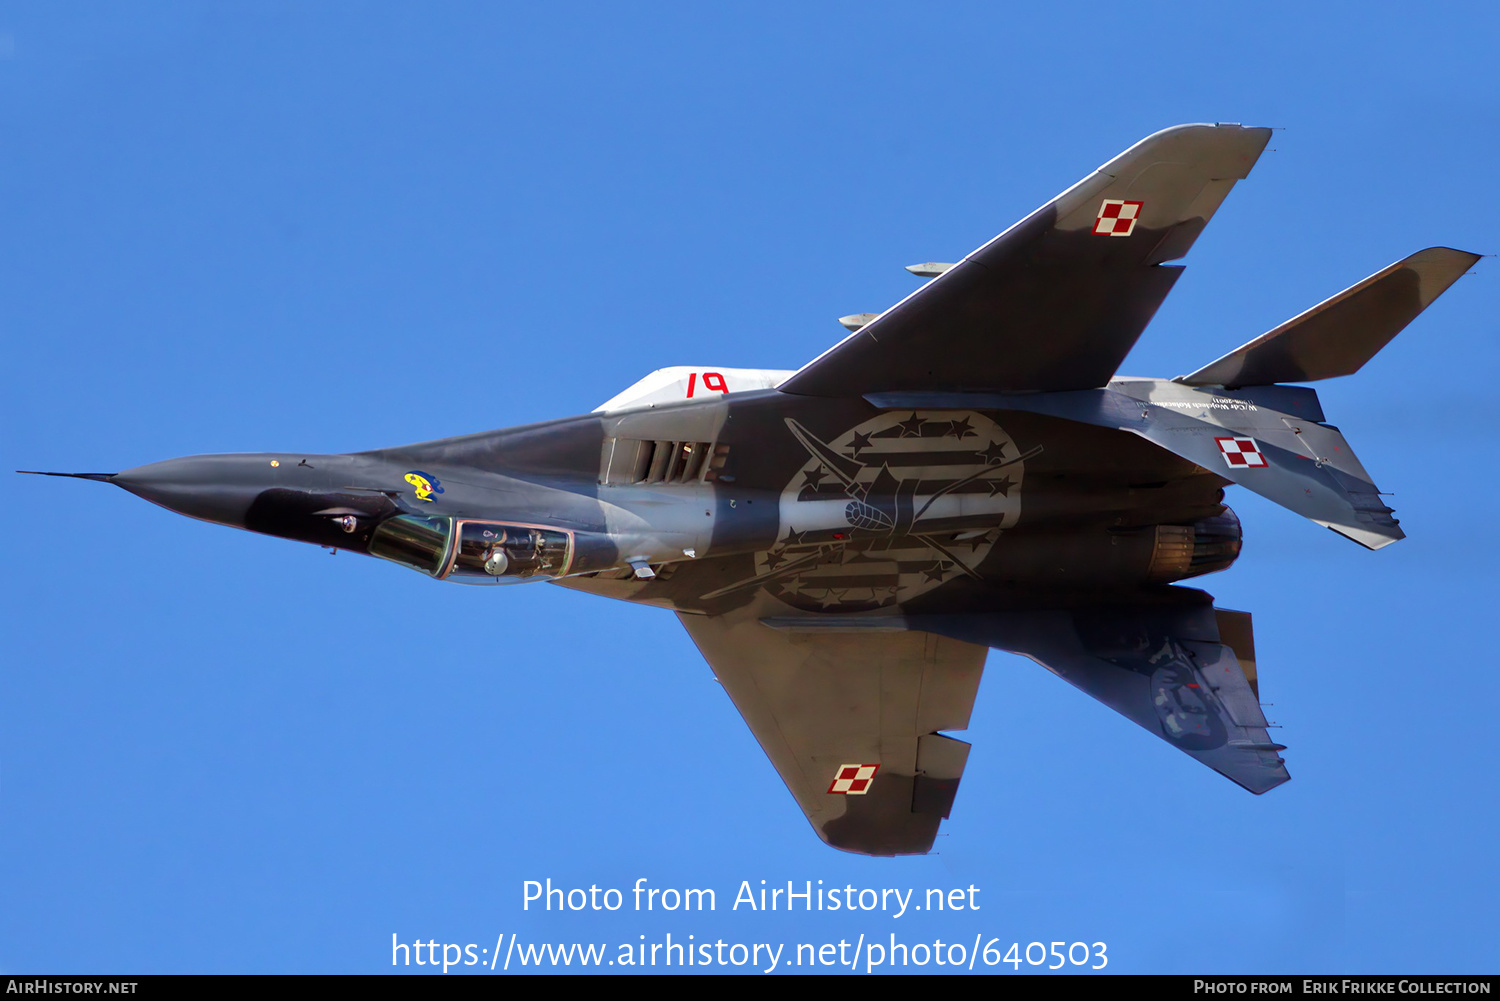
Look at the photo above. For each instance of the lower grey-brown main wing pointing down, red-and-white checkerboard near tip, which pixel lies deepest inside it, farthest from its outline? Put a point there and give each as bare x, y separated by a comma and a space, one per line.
850, 718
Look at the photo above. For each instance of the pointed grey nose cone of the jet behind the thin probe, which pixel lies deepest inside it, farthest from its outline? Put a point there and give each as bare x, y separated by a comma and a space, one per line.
217, 488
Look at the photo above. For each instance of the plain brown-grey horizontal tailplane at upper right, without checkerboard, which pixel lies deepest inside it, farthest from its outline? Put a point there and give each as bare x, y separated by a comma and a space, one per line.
1340, 335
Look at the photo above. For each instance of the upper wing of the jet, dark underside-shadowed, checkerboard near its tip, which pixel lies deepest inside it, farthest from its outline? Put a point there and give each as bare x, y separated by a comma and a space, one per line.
1057, 301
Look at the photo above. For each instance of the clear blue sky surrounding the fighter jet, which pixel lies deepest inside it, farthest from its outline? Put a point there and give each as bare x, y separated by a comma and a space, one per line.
248, 227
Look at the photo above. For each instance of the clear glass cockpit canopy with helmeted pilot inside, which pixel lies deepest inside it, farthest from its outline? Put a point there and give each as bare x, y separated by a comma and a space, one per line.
475, 552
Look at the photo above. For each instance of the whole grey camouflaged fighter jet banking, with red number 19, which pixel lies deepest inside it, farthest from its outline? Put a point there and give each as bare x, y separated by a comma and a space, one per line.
845, 543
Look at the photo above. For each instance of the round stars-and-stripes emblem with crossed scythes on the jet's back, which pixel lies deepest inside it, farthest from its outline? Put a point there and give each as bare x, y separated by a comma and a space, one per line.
892, 510
